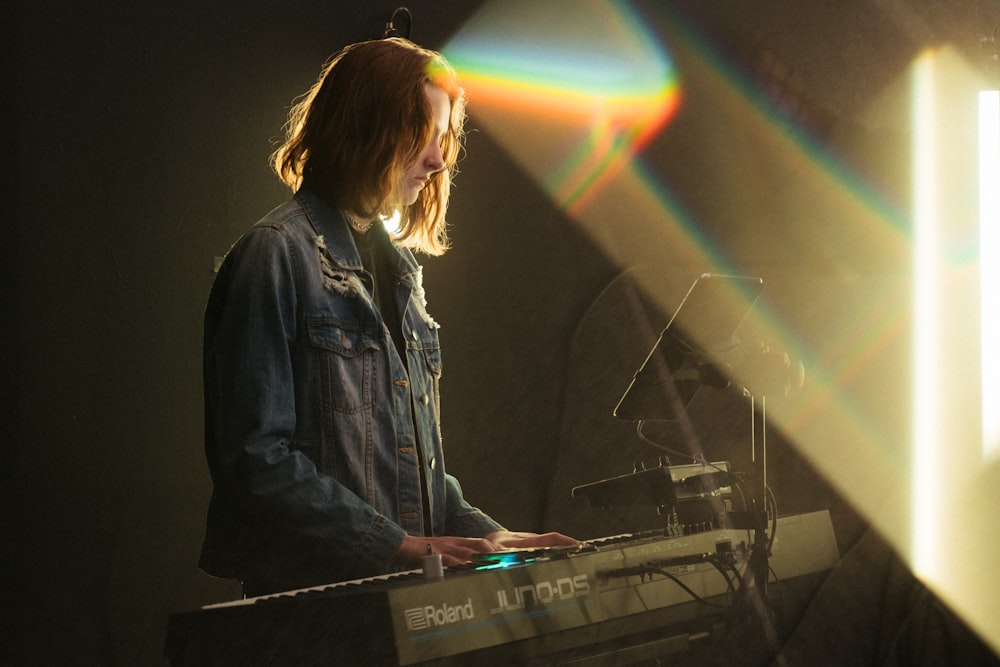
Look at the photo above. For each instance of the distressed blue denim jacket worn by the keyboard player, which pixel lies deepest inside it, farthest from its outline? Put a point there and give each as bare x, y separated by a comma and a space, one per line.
312, 421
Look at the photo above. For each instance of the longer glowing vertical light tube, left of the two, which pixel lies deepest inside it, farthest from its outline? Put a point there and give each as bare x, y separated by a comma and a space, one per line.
926, 282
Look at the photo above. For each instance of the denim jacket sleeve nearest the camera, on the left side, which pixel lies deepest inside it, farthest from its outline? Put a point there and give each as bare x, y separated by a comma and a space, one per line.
284, 514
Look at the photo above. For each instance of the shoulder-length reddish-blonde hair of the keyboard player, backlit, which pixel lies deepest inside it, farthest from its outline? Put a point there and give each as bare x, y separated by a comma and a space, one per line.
353, 135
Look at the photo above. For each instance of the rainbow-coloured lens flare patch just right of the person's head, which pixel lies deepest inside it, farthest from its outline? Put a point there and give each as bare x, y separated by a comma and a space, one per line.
608, 87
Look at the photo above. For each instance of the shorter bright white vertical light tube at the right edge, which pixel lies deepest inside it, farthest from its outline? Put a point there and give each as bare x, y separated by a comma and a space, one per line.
989, 265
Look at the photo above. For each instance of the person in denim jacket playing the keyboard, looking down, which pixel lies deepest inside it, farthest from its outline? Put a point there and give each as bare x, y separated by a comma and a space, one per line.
321, 363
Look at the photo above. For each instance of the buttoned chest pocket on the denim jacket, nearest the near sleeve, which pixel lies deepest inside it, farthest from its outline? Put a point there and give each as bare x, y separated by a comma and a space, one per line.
346, 357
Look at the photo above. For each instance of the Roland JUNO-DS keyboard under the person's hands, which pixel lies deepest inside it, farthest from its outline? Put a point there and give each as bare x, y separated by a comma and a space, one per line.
527, 606
